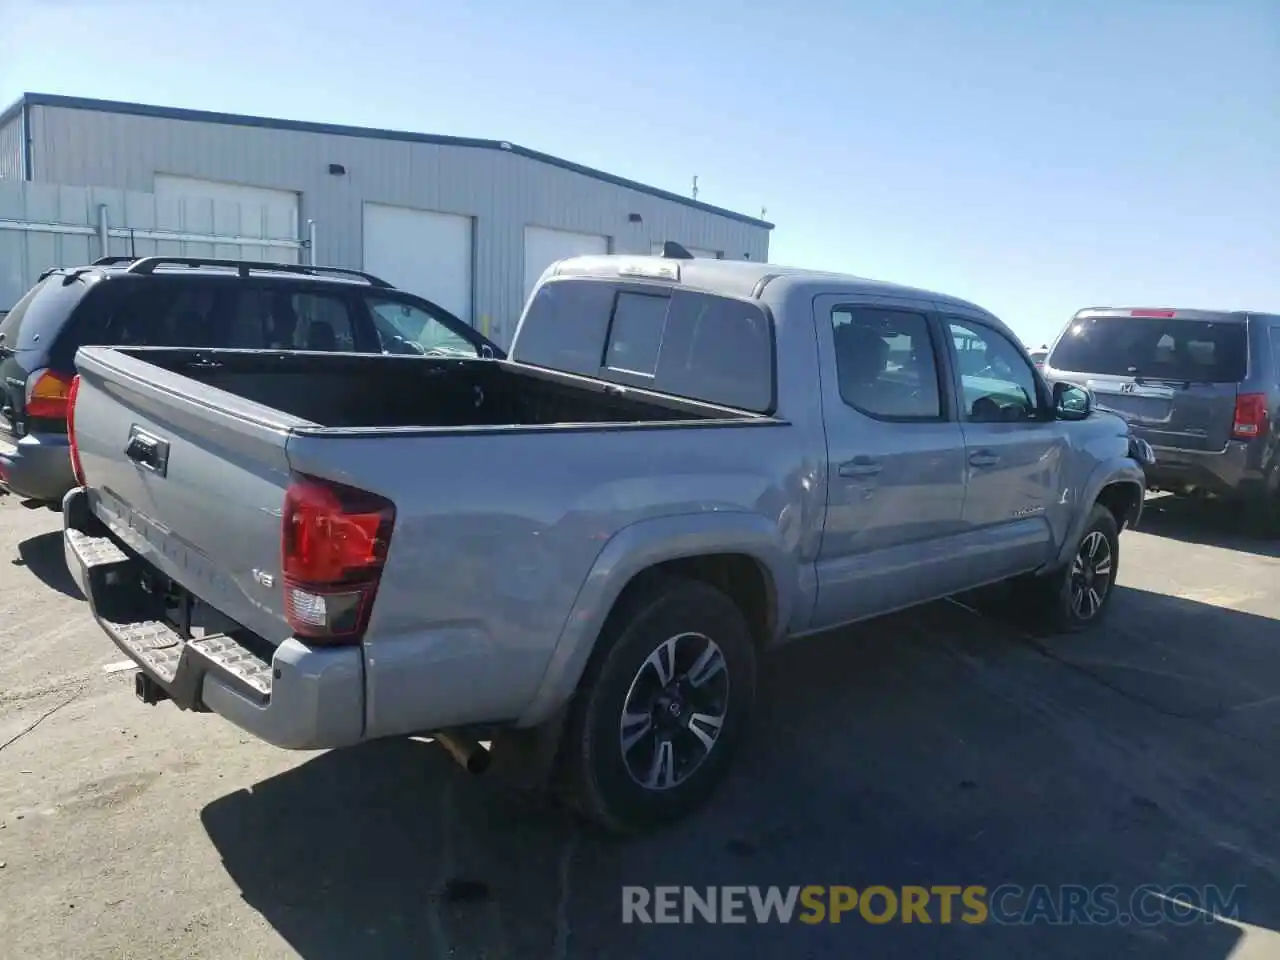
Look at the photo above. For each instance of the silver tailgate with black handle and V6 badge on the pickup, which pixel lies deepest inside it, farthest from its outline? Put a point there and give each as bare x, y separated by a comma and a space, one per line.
191, 478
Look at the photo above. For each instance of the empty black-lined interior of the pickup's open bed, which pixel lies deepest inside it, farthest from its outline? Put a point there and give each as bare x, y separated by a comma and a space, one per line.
356, 391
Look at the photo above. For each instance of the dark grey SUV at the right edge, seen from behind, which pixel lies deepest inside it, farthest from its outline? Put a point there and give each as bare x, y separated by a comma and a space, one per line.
1201, 387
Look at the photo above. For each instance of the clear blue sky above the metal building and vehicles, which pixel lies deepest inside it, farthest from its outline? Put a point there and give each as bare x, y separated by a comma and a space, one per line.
1034, 158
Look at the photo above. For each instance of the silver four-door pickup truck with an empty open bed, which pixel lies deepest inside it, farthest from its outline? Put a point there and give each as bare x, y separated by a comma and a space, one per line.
580, 554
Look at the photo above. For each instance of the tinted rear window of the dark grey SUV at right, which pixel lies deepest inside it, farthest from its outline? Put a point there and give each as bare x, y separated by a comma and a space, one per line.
1200, 351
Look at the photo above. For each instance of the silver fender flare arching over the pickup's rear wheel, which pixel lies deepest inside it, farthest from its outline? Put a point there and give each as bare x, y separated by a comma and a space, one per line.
637, 548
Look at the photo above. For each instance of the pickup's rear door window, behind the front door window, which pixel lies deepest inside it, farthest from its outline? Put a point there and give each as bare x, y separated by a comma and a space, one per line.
885, 363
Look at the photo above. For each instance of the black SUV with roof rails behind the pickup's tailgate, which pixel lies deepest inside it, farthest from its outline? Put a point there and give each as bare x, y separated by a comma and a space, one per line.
185, 303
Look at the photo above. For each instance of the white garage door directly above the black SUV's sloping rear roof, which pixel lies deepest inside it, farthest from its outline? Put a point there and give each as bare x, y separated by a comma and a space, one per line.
422, 252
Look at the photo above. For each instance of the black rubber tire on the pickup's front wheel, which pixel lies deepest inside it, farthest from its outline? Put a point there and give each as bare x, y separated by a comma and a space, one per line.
1059, 602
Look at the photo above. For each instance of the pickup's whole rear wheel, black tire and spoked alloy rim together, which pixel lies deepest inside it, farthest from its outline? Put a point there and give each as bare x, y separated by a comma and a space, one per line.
661, 711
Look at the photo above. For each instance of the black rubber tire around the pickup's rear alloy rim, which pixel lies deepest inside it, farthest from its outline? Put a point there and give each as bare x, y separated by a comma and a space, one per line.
600, 783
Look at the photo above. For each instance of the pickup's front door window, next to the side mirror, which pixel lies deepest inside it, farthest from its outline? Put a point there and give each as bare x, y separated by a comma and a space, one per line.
996, 382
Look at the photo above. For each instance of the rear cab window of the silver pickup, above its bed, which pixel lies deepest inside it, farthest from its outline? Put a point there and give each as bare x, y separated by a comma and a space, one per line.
712, 349
